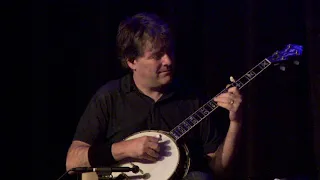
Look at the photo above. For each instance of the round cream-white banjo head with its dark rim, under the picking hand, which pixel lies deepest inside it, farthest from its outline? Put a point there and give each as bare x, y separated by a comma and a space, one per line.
173, 162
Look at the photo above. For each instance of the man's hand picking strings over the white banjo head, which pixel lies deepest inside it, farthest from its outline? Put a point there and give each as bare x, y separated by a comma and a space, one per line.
145, 148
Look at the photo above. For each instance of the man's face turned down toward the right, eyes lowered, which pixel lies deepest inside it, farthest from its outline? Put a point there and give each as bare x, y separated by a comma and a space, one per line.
154, 69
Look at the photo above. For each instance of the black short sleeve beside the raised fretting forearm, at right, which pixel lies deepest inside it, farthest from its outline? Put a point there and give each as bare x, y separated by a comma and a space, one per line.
213, 130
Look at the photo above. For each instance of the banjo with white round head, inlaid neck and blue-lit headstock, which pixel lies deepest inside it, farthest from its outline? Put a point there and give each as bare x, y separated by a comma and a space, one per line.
175, 162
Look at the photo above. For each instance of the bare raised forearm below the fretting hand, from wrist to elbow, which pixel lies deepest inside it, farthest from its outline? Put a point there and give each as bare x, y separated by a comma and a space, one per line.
221, 160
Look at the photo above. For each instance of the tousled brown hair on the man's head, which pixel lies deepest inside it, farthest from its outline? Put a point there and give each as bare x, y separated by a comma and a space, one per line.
138, 32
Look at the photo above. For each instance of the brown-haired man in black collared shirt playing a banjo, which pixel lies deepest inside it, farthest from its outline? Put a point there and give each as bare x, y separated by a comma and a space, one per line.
150, 98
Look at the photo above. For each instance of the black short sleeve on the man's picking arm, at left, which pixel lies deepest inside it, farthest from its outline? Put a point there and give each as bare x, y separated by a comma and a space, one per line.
92, 124
